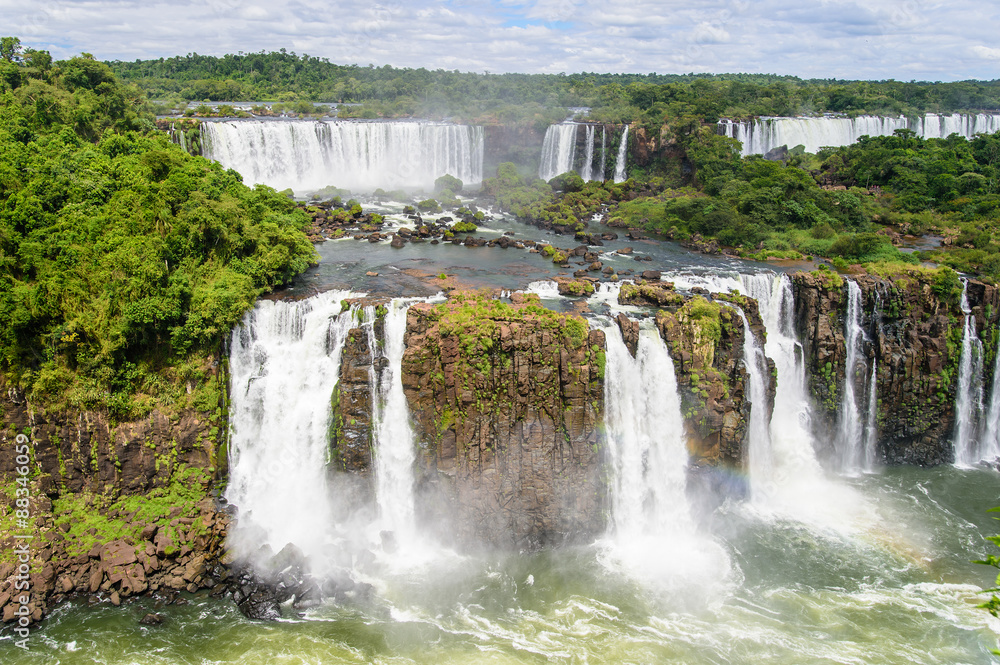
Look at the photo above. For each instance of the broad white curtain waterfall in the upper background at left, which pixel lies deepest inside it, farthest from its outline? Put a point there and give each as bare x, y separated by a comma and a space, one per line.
308, 155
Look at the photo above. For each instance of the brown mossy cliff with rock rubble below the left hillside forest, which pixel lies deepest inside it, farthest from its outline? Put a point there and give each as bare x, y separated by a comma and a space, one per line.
120, 508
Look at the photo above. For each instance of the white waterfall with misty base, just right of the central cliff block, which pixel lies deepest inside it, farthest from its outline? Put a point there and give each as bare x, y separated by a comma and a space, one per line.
653, 535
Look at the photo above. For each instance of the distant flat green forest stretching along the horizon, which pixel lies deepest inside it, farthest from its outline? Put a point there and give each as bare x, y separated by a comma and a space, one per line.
391, 92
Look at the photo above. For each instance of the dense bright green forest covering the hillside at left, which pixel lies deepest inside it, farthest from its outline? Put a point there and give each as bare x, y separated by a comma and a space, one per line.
124, 262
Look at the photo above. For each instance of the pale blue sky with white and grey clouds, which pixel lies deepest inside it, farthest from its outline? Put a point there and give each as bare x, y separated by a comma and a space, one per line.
898, 39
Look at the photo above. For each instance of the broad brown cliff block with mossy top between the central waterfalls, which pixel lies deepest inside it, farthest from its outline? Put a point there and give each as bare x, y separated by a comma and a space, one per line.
506, 401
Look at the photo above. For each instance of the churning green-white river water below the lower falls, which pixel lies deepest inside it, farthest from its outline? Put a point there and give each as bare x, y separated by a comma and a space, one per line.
892, 585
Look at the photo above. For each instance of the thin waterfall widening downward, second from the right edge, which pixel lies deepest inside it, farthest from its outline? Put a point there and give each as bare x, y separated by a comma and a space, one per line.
969, 400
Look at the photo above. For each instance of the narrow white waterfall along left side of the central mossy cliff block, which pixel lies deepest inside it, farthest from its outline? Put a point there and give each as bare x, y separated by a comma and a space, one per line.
393, 441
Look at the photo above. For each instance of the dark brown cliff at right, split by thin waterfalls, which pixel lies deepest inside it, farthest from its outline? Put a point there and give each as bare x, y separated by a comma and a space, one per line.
913, 326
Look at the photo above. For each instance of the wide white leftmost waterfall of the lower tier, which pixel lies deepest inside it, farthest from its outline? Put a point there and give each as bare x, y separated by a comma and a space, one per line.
284, 365
